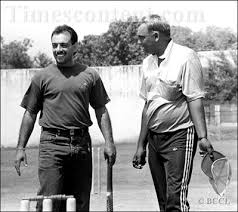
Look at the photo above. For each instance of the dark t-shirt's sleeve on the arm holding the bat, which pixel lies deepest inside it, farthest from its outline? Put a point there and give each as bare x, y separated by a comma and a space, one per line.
98, 95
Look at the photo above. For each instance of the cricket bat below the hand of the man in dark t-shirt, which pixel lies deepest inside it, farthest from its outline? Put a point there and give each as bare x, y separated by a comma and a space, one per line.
109, 188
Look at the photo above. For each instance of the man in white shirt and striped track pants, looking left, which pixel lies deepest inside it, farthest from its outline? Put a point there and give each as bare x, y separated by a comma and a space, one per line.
173, 118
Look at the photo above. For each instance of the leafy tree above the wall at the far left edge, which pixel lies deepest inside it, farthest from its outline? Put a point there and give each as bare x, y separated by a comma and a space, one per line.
14, 54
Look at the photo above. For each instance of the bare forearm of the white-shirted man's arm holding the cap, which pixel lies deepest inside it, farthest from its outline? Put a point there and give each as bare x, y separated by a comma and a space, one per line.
197, 113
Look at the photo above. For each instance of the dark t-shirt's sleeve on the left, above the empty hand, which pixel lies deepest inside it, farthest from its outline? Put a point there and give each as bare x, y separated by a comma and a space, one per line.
32, 100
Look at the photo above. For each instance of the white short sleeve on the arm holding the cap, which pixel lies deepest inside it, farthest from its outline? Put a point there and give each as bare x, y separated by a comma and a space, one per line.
192, 79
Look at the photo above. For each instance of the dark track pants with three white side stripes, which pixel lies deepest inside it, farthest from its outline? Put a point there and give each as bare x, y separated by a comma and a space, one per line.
171, 160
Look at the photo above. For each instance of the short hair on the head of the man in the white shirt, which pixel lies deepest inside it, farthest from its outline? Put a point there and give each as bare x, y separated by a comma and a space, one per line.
158, 23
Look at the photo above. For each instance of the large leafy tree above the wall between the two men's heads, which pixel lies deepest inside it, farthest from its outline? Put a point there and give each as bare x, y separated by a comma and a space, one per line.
118, 46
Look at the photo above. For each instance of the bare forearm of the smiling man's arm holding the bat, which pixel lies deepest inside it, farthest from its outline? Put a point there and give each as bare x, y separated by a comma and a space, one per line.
104, 124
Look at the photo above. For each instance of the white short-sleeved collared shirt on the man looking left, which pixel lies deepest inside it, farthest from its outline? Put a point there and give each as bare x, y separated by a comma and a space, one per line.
168, 88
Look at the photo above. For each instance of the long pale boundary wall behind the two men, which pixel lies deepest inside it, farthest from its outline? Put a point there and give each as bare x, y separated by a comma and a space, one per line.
122, 85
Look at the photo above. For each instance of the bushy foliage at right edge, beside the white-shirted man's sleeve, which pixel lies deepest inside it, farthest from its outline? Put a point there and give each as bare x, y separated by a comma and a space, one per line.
221, 81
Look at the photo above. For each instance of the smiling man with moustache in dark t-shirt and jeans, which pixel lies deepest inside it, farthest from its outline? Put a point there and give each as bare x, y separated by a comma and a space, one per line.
62, 93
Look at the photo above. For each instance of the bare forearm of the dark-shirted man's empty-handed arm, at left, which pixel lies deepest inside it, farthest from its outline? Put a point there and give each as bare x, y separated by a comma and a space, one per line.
26, 129
